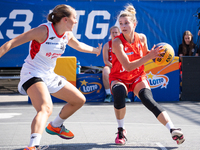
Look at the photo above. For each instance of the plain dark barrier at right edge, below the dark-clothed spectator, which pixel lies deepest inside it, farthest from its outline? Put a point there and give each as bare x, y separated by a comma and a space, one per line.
190, 78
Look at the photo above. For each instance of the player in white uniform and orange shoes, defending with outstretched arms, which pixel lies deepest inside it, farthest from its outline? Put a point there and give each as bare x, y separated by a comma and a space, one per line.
37, 78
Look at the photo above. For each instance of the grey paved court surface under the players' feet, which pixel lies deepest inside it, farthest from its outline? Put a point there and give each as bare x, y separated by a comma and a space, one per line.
94, 126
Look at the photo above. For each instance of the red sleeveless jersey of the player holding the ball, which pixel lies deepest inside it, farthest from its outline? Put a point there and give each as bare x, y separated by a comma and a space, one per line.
134, 51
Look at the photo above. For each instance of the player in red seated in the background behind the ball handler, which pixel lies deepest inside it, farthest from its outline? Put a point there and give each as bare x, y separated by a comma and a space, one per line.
107, 57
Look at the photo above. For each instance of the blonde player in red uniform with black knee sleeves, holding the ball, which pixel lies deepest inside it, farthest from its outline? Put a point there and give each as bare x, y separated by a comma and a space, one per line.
130, 52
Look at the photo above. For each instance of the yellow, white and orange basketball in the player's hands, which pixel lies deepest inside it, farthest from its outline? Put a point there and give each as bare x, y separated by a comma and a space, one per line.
167, 56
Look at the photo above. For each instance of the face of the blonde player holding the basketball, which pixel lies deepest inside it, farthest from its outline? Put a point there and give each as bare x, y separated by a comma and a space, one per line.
126, 25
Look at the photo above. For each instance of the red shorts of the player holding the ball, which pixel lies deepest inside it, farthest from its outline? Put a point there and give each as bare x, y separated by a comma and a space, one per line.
130, 86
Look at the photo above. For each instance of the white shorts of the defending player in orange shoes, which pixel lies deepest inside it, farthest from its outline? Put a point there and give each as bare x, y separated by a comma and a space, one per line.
53, 81
